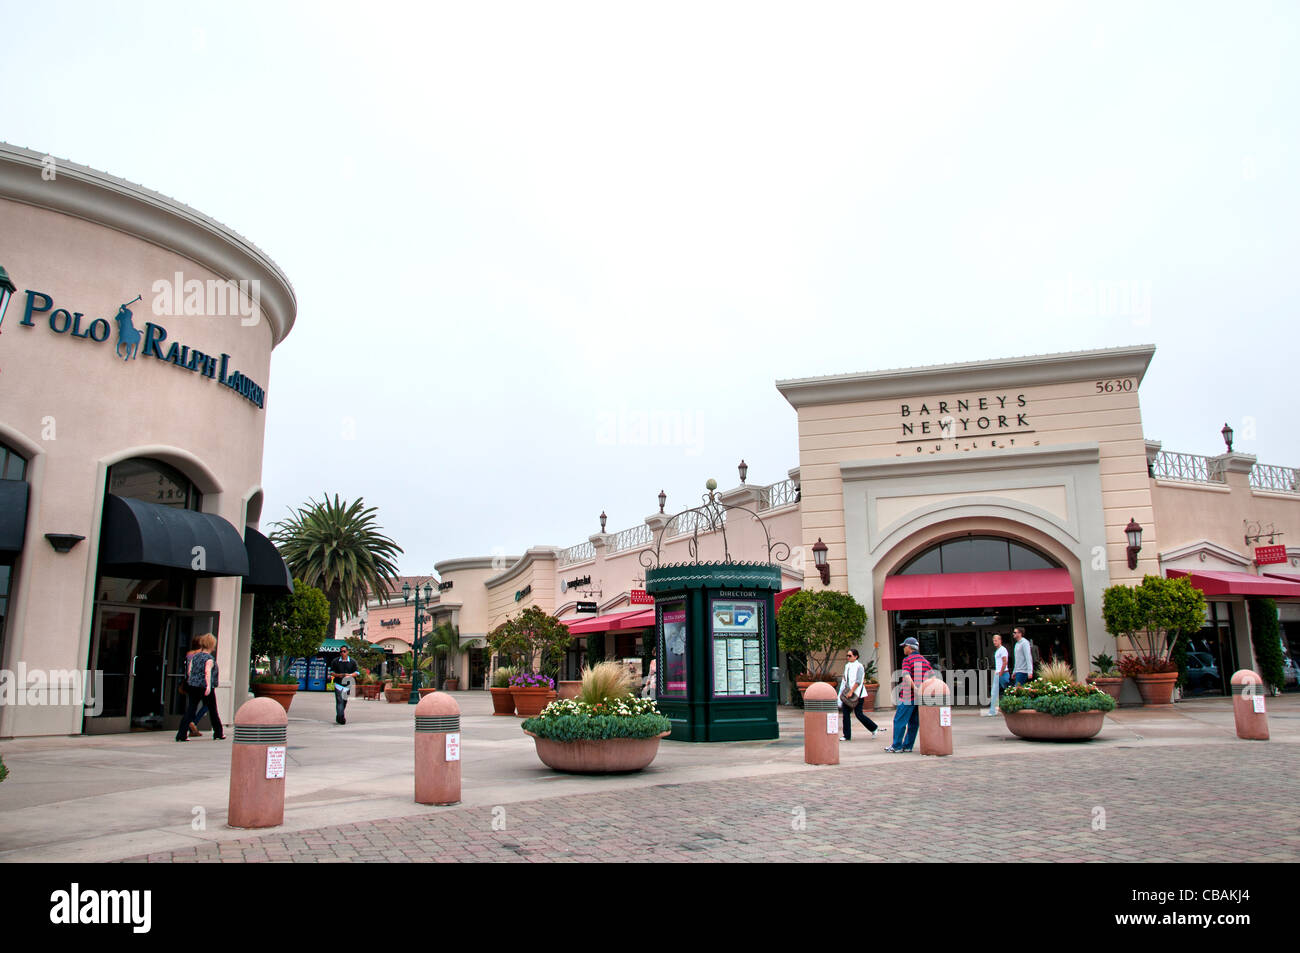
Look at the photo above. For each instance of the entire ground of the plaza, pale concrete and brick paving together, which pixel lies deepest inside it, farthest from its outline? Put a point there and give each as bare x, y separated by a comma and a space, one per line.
1168, 786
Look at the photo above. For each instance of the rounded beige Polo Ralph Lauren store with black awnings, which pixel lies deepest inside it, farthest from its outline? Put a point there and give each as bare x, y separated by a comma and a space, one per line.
136, 339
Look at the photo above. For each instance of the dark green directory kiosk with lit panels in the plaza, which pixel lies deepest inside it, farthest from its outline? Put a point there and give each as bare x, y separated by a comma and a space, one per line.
716, 634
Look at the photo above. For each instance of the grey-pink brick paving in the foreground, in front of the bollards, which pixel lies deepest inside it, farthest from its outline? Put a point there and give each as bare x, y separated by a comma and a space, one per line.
1159, 808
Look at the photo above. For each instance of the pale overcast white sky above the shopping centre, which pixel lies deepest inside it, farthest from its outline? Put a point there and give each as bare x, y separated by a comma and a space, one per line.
552, 258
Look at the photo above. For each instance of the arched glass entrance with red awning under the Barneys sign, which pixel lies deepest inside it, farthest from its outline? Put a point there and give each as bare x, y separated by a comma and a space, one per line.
957, 594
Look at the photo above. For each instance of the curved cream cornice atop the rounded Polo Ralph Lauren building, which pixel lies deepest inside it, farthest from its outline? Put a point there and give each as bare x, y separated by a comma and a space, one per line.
115, 203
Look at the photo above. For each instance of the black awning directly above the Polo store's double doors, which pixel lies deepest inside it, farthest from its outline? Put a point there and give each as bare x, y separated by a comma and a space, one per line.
144, 540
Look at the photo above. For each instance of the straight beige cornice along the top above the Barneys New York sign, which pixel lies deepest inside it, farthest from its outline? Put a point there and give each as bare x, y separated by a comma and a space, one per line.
956, 379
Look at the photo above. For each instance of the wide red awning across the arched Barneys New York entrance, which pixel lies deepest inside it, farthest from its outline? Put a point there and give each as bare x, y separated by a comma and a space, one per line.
980, 590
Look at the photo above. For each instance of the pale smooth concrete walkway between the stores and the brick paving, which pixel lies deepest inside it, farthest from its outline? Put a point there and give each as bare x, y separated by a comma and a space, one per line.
107, 798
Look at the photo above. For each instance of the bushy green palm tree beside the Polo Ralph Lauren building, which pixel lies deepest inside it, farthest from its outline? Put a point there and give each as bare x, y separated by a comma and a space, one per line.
339, 549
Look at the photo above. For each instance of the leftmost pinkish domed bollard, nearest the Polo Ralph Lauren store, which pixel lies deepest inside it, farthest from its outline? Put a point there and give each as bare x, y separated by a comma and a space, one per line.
258, 765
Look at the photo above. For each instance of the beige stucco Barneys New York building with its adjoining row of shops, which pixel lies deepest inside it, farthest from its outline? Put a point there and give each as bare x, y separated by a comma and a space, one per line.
956, 503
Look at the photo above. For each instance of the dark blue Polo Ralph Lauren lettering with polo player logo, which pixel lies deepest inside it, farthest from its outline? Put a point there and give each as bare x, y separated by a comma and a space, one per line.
153, 343
